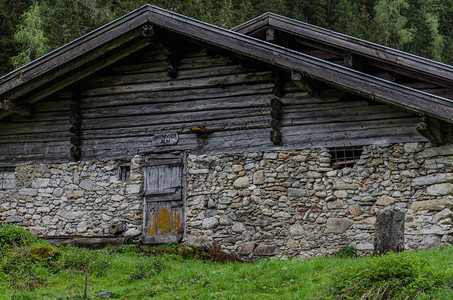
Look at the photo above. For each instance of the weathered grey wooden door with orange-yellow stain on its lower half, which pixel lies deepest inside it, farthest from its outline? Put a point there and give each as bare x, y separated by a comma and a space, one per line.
164, 200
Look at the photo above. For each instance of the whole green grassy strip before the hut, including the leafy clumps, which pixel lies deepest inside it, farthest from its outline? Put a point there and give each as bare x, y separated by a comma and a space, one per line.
169, 272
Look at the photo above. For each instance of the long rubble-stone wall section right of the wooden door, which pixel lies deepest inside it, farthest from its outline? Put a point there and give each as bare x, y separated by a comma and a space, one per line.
295, 204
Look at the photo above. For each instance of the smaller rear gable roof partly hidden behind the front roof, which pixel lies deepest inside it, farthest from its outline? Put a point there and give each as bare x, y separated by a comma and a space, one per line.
330, 45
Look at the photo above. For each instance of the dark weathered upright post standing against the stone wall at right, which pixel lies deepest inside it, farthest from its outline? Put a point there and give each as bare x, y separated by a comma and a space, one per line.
389, 234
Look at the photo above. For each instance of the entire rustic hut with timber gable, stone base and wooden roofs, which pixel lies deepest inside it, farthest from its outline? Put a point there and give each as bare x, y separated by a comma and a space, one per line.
273, 138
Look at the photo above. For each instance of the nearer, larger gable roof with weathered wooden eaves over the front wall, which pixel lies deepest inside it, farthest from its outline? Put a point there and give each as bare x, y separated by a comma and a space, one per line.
120, 38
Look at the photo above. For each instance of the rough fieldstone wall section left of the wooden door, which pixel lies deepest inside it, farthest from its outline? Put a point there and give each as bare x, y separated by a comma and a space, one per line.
75, 199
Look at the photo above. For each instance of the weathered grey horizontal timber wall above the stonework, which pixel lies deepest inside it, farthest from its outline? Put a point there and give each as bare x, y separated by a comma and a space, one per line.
124, 106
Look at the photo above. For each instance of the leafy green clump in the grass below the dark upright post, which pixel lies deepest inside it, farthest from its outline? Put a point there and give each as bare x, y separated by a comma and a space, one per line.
393, 276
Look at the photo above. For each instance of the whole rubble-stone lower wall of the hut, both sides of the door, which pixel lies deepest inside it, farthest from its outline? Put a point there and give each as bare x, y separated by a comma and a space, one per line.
275, 203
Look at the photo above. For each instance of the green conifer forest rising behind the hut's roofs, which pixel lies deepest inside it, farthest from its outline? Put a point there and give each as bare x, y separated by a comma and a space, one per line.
32, 28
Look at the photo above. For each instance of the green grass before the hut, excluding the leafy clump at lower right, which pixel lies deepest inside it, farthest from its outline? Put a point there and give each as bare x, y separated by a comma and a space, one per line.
131, 274
